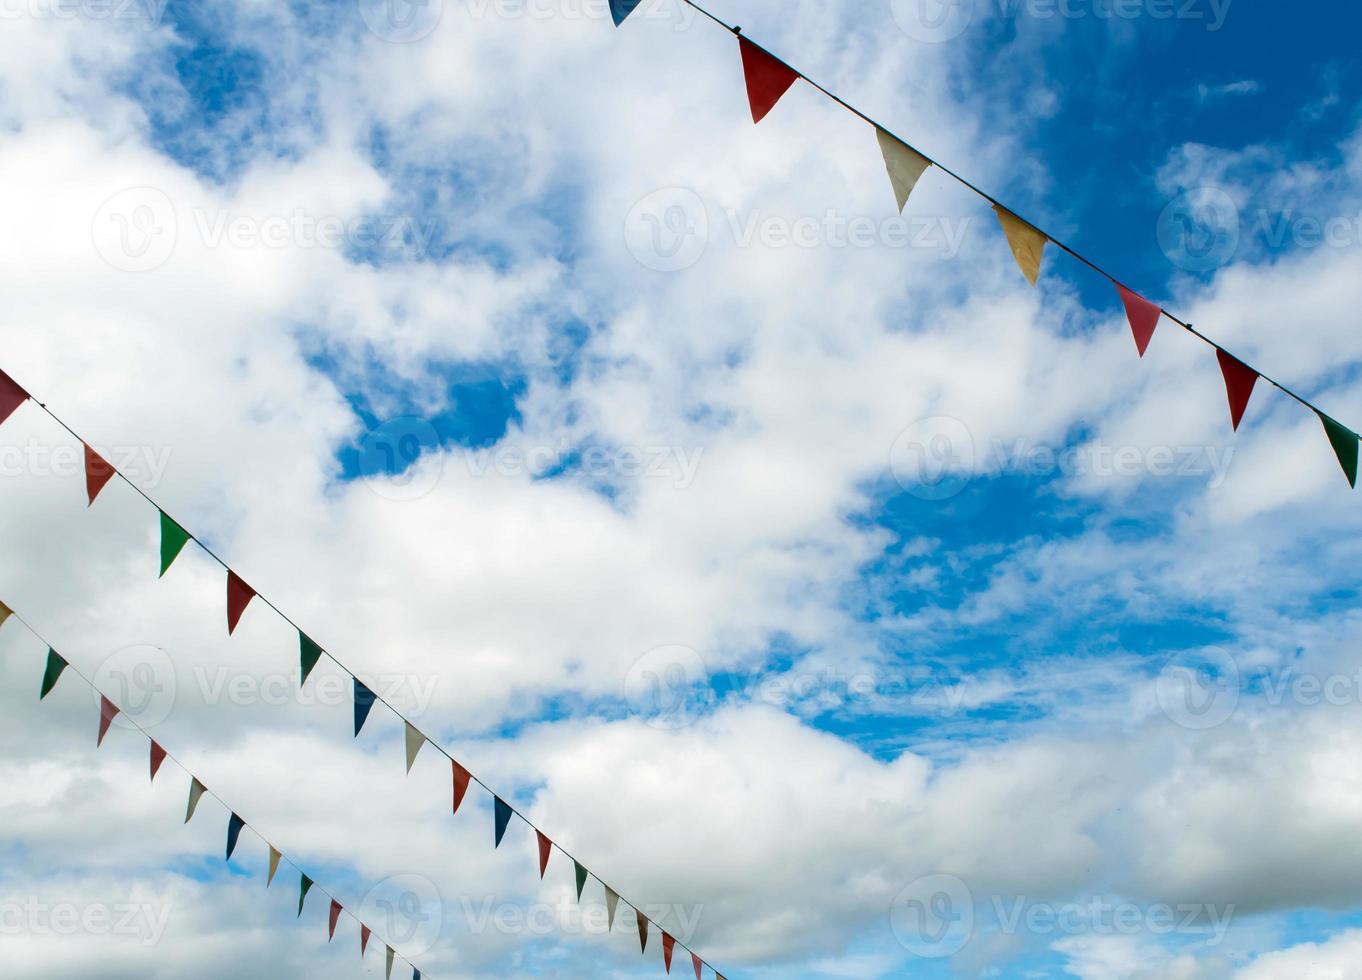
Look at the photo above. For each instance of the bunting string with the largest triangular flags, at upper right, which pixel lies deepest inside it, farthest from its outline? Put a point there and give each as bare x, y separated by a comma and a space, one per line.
769, 78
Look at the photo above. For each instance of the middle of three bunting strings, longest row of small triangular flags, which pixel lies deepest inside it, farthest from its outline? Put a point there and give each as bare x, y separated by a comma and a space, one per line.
239, 597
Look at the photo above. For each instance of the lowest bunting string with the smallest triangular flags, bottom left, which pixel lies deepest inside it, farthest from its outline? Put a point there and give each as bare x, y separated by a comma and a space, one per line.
59, 666
